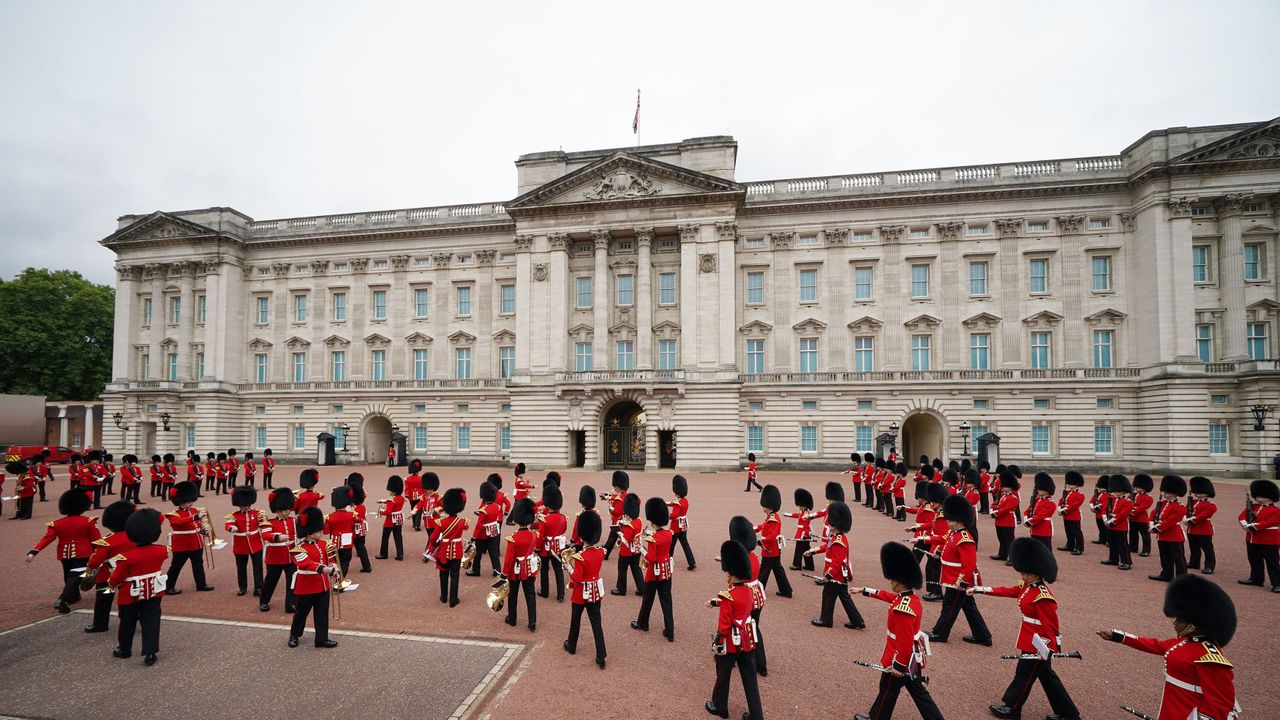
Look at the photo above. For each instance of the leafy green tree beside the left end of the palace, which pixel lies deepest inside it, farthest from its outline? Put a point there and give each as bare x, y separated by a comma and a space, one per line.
57, 332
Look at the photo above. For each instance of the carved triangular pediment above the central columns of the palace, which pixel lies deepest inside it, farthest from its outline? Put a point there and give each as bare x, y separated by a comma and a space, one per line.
624, 177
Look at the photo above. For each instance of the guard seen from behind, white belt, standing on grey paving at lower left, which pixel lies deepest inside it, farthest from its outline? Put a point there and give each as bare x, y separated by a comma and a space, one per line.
139, 584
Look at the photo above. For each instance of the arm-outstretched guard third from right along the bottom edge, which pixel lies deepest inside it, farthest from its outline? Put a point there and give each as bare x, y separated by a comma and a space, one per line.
904, 644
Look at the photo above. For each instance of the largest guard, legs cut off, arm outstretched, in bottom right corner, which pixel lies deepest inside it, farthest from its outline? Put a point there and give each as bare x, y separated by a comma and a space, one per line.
1200, 681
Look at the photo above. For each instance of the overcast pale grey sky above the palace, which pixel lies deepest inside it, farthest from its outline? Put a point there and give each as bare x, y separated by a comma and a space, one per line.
309, 108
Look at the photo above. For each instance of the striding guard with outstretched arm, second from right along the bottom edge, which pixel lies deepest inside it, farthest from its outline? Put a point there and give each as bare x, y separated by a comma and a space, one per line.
1040, 636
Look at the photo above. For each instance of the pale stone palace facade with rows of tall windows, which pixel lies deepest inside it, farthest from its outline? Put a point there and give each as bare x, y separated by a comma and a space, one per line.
643, 308
